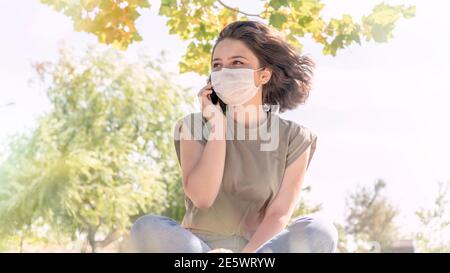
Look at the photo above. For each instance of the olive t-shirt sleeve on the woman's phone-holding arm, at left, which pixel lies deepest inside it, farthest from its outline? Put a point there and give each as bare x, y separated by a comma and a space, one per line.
196, 126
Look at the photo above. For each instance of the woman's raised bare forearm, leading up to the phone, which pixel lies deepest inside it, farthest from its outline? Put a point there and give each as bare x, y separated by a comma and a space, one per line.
203, 182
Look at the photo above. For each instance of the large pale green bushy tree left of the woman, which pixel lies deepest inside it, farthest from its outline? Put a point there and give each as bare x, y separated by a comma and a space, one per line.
104, 153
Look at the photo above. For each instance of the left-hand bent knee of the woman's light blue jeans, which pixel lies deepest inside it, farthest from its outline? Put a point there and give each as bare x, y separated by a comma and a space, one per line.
150, 225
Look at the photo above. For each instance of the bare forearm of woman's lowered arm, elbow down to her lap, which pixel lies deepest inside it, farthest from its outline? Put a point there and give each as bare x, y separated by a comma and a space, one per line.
269, 227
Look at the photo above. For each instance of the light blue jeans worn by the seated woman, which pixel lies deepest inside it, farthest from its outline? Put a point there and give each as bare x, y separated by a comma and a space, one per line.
155, 233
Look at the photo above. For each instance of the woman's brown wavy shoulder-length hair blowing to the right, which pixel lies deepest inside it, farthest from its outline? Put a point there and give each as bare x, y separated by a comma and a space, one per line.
292, 72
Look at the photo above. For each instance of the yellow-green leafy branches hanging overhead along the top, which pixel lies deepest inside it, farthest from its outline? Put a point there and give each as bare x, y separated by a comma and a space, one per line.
200, 21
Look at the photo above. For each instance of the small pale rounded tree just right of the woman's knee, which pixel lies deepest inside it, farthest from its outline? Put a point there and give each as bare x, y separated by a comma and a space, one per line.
370, 218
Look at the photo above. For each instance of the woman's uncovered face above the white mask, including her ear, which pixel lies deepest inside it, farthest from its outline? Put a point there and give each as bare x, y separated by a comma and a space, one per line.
232, 53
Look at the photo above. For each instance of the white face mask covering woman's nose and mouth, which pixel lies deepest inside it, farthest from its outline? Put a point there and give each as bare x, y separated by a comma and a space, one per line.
234, 86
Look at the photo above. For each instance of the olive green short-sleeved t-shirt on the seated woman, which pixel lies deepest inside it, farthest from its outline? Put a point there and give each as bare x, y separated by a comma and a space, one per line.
252, 174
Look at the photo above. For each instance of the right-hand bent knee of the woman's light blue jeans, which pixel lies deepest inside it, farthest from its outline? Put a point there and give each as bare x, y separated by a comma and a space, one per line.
320, 234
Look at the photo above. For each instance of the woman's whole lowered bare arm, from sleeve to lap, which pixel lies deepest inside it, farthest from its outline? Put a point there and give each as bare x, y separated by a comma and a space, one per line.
280, 210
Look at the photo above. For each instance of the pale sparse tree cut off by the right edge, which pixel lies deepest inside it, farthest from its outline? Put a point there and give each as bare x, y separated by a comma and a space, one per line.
435, 223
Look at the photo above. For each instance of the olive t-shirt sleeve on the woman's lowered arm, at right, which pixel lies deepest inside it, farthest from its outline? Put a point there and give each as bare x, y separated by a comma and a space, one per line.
300, 138
